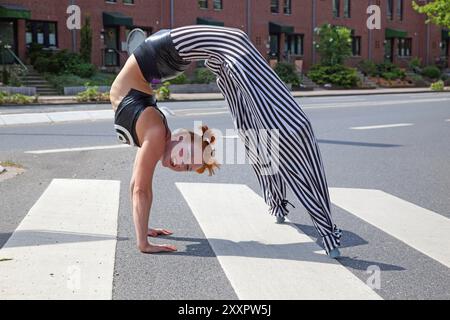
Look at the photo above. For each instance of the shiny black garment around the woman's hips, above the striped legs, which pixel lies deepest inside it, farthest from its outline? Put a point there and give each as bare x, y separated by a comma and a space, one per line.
158, 59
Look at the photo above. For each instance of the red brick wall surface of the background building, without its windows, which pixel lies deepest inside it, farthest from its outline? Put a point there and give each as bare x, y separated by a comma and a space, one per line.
156, 14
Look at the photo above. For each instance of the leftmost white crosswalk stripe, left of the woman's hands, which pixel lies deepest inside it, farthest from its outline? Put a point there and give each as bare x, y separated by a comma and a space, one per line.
65, 246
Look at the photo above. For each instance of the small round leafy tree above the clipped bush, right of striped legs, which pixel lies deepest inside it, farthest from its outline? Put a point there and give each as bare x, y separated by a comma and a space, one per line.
333, 43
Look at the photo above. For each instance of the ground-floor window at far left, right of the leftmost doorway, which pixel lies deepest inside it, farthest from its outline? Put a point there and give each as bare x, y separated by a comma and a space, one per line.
41, 32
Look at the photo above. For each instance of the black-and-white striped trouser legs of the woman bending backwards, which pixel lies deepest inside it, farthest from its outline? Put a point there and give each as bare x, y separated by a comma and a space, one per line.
259, 100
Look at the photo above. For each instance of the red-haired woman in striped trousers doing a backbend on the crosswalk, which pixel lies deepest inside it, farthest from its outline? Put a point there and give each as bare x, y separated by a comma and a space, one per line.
258, 101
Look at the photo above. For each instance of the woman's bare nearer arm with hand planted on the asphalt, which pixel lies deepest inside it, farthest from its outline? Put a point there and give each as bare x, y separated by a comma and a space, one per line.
142, 194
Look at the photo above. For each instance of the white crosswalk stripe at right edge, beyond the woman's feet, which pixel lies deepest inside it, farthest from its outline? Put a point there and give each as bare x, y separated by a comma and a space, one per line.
419, 228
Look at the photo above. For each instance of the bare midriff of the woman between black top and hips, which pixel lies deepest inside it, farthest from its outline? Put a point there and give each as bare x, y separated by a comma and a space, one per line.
130, 77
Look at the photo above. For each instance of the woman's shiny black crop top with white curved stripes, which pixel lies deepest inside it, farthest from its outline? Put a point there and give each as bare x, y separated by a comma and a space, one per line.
128, 112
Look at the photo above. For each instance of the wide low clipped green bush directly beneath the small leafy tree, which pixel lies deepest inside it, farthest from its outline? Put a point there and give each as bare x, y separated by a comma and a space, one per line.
338, 75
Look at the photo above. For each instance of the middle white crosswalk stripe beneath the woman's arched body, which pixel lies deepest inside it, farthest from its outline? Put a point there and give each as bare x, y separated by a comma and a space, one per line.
261, 259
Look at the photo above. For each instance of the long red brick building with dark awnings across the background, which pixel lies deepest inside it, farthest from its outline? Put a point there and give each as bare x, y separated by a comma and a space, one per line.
280, 29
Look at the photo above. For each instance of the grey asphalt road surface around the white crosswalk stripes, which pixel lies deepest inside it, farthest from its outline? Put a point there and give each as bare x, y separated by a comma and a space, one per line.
409, 161
